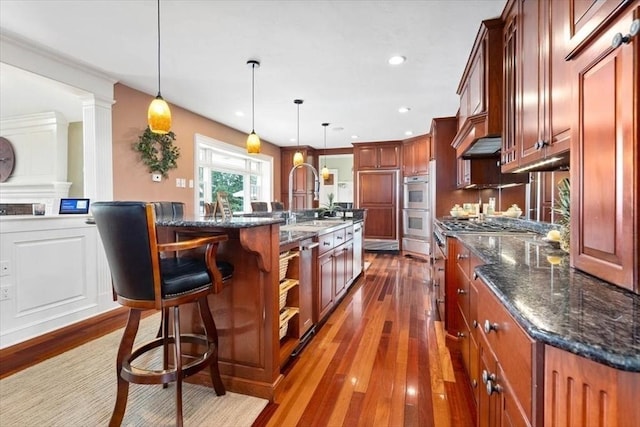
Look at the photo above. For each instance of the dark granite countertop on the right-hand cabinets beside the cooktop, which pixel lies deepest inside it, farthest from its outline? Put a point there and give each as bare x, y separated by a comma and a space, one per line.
559, 305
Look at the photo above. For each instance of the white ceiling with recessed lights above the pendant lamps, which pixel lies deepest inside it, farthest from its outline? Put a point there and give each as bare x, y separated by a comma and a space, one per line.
331, 54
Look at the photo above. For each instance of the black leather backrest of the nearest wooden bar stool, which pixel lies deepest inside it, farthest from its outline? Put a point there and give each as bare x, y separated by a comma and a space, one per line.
128, 234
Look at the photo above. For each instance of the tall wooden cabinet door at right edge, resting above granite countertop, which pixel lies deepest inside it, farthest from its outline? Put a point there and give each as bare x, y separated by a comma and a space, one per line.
604, 155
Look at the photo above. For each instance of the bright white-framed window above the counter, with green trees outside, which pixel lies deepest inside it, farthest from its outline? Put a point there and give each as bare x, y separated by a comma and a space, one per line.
224, 167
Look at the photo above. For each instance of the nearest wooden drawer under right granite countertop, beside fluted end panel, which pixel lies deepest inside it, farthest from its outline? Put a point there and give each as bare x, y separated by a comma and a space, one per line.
511, 345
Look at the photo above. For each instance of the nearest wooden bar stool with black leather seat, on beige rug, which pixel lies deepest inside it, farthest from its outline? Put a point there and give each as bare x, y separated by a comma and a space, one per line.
142, 280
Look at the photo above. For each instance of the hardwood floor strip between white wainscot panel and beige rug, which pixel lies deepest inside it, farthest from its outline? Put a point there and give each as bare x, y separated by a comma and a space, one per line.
28, 353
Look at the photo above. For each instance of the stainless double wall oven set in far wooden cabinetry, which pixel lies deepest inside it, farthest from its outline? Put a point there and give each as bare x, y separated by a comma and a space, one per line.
416, 216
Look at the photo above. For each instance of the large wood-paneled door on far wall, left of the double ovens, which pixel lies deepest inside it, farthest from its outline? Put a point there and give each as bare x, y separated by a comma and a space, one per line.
378, 193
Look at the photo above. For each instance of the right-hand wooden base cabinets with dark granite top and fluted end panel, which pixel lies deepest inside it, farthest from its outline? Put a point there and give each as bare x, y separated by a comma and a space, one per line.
543, 343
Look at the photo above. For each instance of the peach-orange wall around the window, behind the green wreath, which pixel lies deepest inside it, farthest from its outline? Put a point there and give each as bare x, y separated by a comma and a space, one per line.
132, 181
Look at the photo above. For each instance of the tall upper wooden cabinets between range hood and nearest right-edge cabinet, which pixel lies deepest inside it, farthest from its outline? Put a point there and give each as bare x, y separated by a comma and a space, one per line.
537, 90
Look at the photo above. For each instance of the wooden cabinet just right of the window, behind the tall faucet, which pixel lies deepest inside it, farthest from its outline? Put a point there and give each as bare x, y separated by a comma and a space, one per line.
302, 179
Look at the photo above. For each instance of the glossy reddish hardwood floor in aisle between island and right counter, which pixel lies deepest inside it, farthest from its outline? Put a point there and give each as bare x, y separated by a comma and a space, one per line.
379, 360
